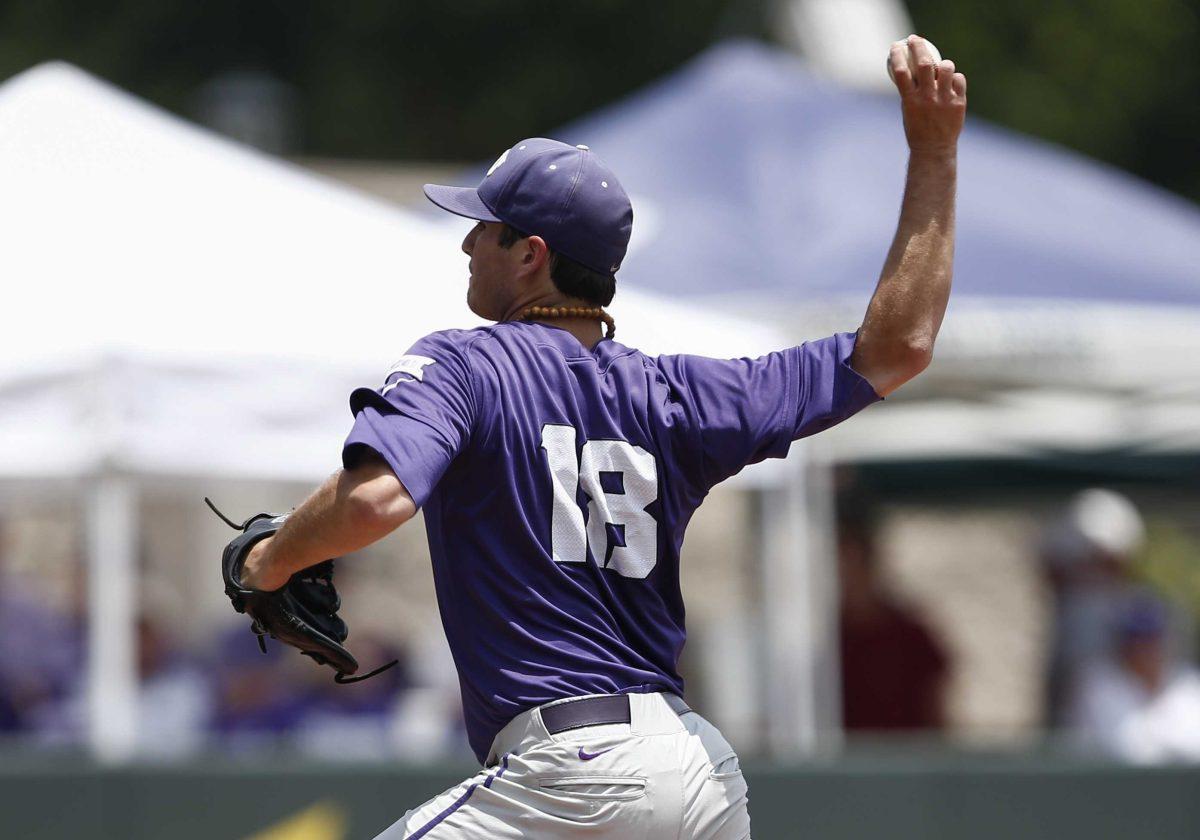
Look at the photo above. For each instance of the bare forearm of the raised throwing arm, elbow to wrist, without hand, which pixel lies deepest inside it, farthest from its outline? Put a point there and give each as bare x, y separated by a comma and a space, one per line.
907, 311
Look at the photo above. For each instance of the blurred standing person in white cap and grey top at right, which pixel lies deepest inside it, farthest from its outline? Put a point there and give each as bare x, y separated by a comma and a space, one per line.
1087, 559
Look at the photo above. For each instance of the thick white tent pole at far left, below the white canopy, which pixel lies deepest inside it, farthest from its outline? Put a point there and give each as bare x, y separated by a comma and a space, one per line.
112, 526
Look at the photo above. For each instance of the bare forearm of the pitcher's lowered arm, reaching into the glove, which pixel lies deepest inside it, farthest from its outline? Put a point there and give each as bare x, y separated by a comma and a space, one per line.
351, 511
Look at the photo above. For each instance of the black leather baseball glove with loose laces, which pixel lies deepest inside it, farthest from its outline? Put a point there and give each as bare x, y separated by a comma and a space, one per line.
302, 614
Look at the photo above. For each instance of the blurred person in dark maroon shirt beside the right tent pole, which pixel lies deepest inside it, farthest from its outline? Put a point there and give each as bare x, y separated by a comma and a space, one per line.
893, 670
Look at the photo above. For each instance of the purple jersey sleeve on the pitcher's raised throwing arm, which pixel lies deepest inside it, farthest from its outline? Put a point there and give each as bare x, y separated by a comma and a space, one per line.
741, 411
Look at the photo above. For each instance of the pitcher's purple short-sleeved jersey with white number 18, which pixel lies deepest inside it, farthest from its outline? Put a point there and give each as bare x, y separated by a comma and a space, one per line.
557, 484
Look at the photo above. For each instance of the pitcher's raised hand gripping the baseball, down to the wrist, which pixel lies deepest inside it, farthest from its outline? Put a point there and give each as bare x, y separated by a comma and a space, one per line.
933, 98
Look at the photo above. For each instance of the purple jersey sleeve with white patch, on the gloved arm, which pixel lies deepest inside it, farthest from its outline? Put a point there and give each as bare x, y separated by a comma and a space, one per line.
422, 418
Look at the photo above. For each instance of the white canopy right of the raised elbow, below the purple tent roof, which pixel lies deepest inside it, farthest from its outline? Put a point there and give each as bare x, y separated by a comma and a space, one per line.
1036, 379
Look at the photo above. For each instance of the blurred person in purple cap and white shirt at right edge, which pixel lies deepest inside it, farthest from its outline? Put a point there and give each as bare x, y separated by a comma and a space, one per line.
1139, 706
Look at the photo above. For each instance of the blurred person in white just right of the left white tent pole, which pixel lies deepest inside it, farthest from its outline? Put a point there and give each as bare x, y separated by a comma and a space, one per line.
176, 697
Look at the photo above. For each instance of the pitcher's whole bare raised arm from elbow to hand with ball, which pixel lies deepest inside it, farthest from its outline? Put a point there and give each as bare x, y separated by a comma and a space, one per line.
896, 341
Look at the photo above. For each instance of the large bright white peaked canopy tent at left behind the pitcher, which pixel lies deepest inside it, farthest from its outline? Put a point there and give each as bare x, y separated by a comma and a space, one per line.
177, 305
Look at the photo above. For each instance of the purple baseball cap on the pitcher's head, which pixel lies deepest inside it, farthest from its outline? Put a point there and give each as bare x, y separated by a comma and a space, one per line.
563, 194
